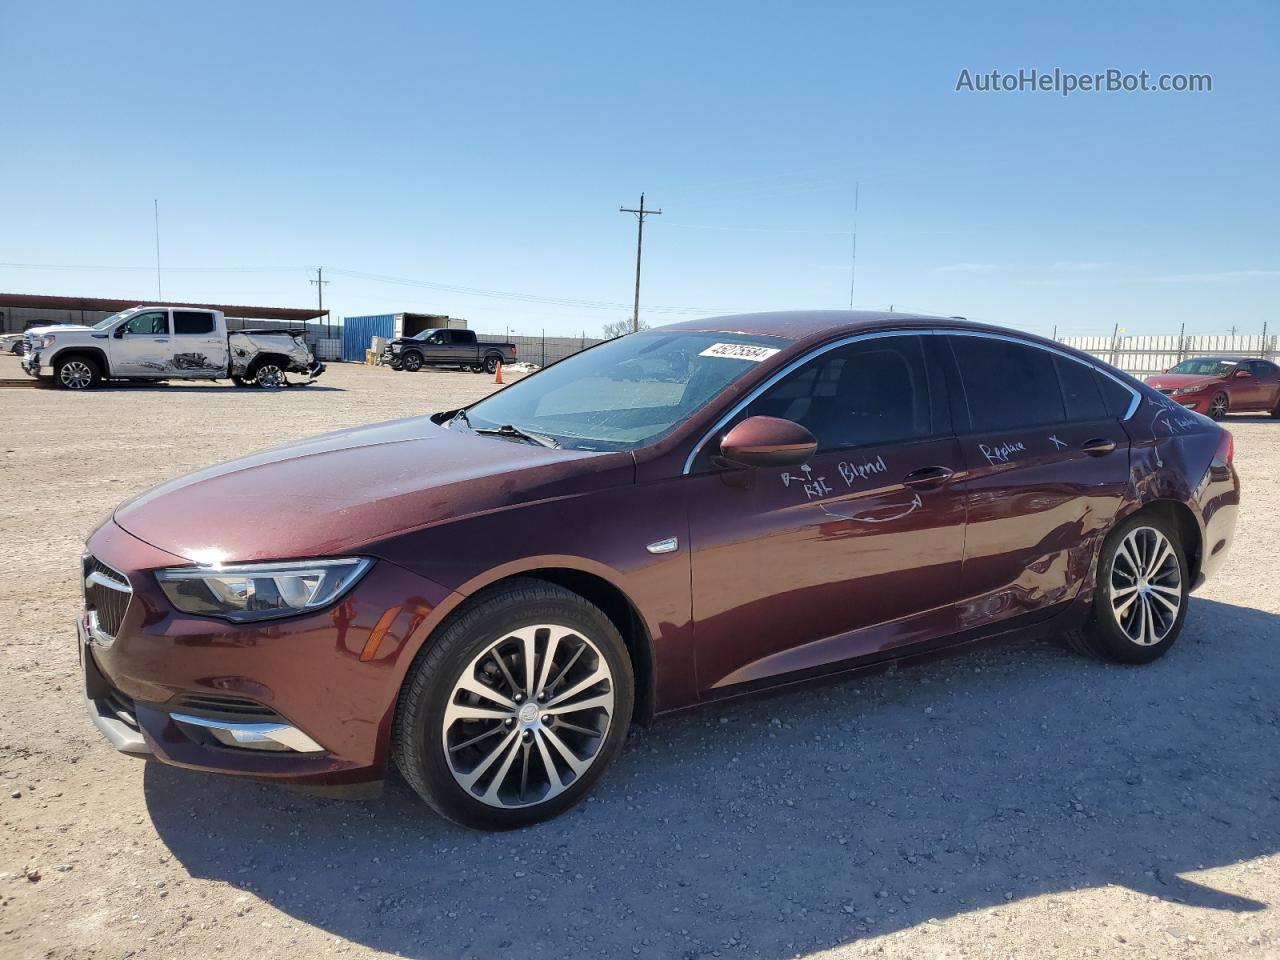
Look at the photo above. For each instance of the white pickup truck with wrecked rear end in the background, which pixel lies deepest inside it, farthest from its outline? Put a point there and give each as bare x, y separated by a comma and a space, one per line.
166, 344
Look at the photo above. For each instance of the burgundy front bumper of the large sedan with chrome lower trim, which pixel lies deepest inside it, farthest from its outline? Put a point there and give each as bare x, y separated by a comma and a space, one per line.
307, 700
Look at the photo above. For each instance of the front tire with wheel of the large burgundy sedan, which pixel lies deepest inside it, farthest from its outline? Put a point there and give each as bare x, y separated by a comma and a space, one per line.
513, 787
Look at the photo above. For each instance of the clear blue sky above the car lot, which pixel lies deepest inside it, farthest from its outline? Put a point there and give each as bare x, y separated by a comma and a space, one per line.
490, 148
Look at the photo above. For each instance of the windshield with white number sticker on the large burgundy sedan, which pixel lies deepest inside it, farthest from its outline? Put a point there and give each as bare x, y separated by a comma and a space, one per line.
627, 392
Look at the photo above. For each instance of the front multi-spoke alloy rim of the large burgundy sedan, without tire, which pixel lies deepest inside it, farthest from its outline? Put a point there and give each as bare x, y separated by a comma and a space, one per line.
529, 716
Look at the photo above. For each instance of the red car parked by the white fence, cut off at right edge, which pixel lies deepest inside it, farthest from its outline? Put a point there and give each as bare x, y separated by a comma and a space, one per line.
1222, 386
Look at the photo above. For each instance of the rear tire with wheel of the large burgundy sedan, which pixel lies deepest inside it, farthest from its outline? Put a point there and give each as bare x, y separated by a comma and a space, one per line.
1149, 614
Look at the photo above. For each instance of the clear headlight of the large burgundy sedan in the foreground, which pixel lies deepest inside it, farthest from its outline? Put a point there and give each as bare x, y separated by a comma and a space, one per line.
252, 592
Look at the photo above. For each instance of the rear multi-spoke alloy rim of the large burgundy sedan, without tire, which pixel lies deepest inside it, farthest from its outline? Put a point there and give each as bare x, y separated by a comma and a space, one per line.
1146, 587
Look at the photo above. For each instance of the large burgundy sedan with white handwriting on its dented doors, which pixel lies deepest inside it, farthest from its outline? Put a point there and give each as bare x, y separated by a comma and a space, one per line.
487, 598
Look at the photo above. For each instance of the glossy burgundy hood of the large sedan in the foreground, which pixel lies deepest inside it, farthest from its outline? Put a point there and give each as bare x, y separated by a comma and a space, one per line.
342, 492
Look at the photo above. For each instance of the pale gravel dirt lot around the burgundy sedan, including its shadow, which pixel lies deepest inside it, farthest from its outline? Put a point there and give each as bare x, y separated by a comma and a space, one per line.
1014, 803
